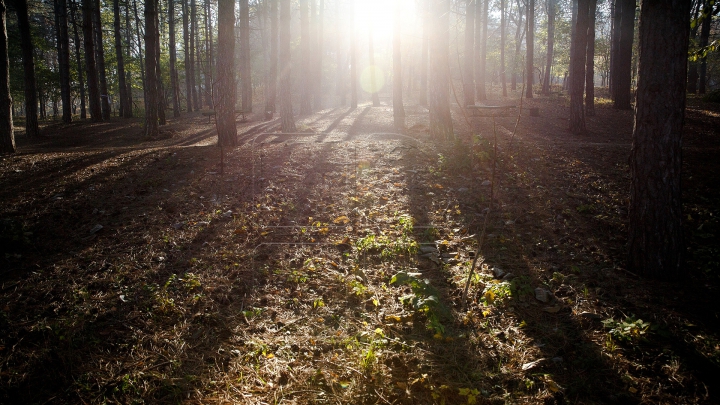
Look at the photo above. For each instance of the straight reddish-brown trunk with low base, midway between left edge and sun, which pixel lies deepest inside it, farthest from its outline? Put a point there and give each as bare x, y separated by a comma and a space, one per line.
225, 102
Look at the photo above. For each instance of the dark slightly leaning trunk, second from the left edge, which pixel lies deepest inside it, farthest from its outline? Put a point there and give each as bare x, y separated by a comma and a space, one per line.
32, 129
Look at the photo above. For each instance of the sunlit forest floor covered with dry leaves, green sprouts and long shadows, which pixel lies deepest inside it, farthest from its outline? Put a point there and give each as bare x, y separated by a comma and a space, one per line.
329, 266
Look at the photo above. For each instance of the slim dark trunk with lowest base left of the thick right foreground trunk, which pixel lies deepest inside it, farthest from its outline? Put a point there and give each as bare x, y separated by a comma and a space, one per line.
577, 68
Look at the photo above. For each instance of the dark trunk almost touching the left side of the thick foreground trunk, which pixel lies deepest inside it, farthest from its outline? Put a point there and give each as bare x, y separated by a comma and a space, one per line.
622, 80
